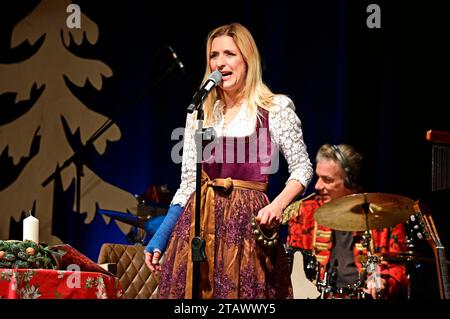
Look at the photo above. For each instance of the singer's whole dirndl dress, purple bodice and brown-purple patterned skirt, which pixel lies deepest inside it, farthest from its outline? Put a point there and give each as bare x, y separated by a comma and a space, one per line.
238, 265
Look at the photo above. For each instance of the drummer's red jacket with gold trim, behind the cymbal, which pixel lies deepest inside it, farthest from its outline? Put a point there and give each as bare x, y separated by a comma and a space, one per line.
306, 234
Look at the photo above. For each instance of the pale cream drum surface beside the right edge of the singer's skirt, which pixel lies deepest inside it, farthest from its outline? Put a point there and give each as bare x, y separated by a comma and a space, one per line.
303, 287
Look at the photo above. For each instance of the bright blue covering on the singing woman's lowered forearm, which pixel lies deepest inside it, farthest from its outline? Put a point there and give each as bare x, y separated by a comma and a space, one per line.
161, 237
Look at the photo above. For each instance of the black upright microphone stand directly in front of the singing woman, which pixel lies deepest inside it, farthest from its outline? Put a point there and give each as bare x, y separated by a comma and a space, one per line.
198, 243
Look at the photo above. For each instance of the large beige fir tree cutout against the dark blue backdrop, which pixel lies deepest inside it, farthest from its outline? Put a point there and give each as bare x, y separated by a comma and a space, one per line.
48, 67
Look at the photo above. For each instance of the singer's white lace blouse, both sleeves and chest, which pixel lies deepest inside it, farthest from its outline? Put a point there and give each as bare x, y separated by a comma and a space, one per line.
285, 131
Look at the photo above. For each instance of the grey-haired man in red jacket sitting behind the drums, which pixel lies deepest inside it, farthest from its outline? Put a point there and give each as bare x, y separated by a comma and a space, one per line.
340, 254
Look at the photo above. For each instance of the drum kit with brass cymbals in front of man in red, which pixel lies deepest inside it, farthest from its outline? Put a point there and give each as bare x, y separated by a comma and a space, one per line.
363, 212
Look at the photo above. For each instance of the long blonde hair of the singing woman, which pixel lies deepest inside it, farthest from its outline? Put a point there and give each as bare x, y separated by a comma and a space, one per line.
255, 92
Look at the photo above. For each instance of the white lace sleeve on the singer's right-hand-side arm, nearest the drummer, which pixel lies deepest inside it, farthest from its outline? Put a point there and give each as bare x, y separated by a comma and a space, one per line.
286, 133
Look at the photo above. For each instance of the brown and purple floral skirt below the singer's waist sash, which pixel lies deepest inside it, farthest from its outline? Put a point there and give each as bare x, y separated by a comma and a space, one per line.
242, 267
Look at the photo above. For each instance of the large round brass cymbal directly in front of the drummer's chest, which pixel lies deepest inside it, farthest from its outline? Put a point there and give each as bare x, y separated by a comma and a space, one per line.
347, 213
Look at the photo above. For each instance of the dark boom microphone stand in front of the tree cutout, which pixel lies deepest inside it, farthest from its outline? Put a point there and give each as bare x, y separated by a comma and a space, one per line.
78, 156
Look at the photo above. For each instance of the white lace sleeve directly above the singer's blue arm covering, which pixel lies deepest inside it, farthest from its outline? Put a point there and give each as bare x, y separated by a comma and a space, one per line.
187, 186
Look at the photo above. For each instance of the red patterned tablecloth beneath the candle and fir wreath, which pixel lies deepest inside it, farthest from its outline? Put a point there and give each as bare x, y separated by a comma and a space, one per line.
57, 284
